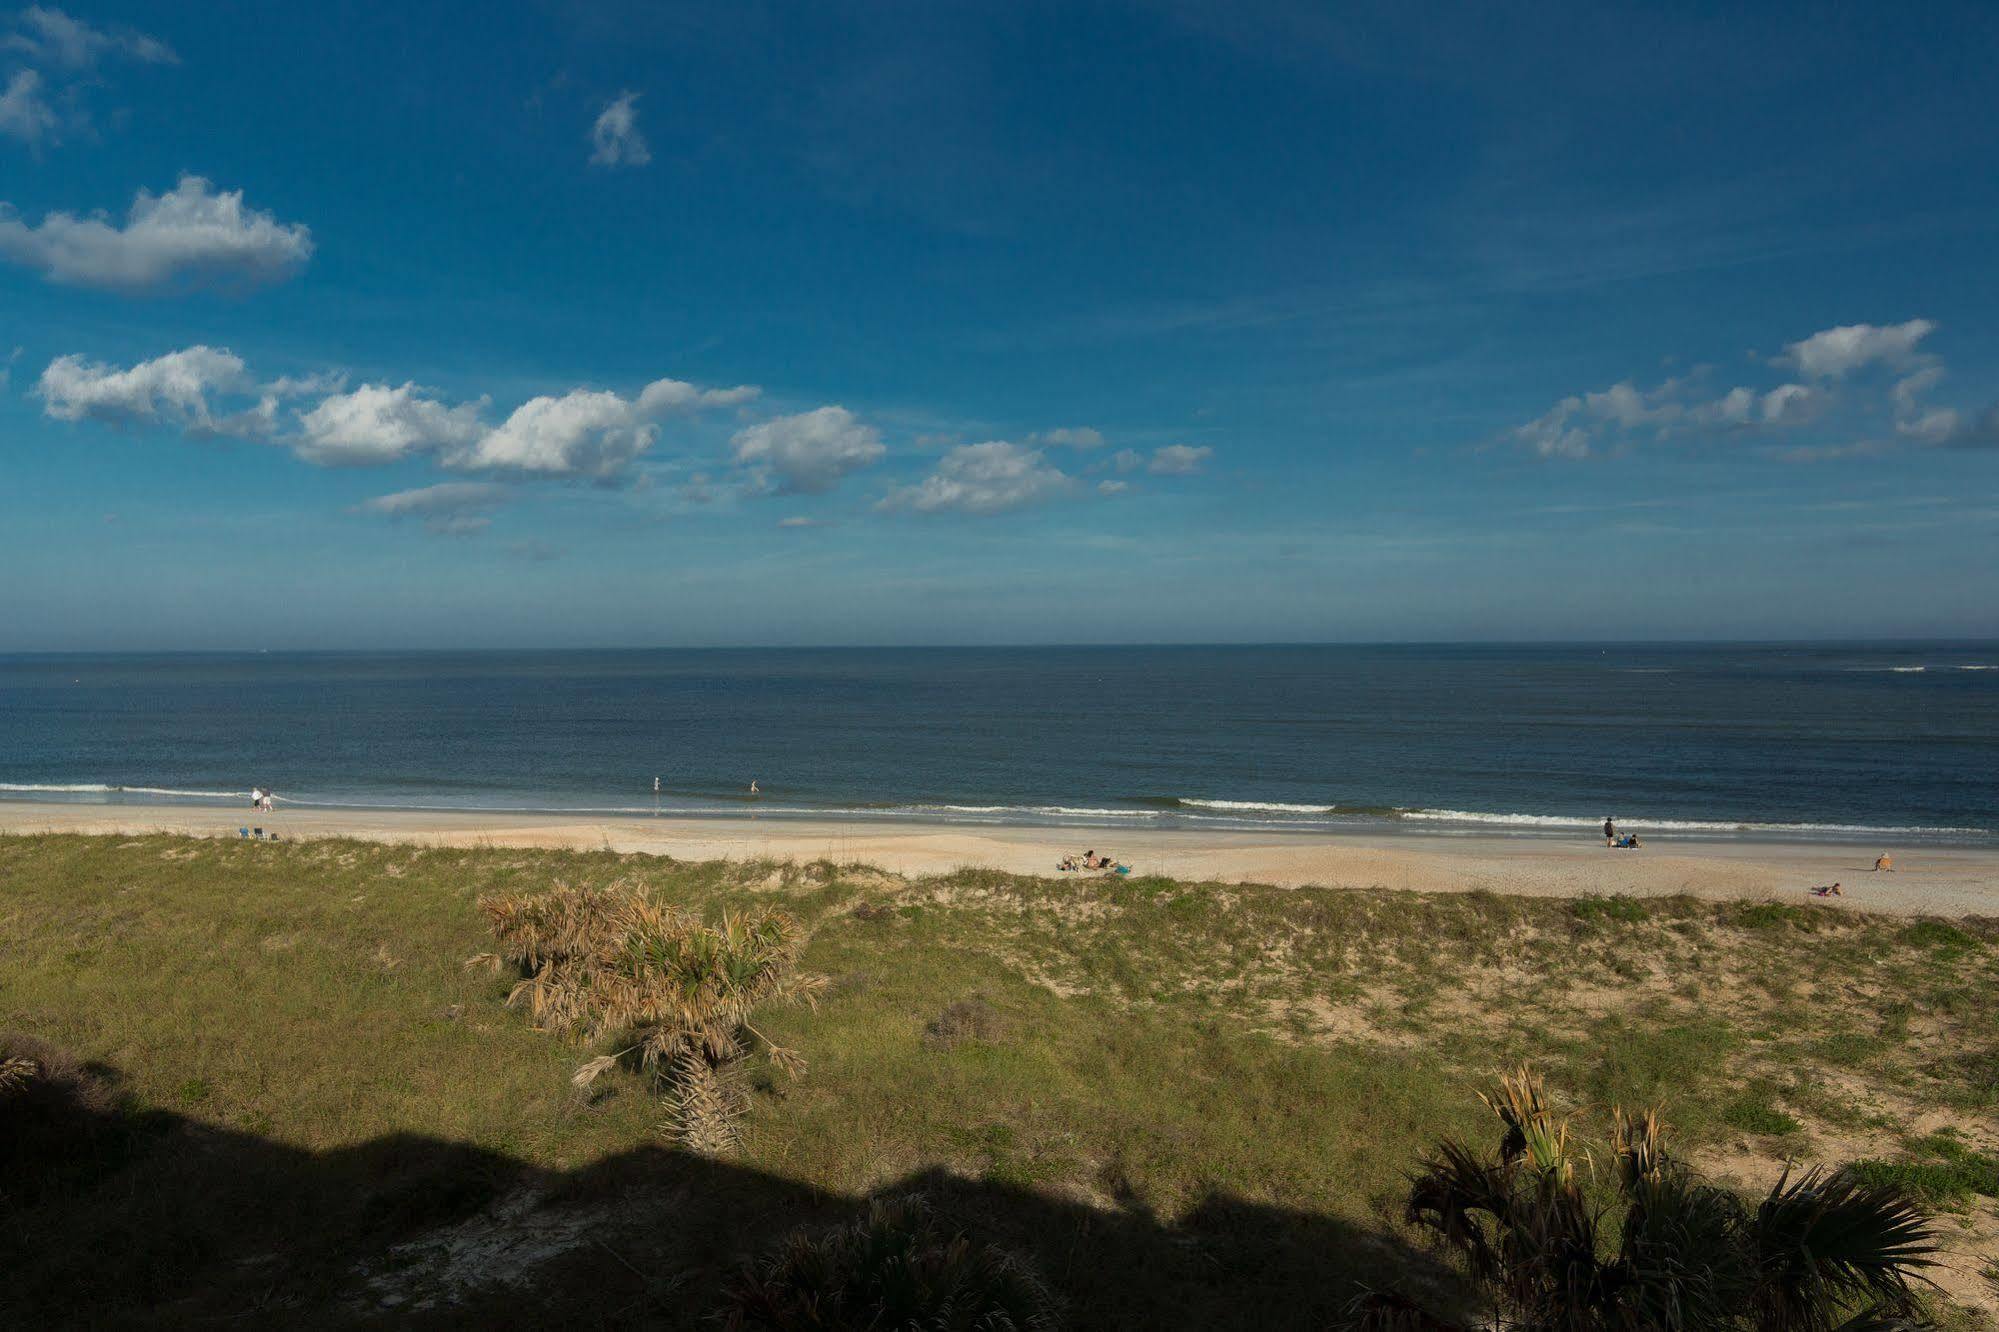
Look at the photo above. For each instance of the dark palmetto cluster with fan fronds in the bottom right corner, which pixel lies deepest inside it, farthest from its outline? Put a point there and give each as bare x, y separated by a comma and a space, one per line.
1822, 1253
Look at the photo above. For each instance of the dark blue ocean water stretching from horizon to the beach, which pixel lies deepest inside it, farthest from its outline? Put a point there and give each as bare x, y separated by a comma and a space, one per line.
1754, 739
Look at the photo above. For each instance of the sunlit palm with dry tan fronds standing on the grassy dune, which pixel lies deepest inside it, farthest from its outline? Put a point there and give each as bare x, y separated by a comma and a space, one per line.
677, 995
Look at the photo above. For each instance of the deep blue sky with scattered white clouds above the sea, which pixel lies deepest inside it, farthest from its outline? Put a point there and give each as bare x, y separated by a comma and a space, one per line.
997, 323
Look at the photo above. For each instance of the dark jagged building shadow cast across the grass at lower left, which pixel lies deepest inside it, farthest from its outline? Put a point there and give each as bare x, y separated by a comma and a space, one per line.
115, 1217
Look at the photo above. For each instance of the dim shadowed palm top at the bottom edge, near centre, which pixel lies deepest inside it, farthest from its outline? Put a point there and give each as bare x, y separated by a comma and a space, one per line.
895, 1267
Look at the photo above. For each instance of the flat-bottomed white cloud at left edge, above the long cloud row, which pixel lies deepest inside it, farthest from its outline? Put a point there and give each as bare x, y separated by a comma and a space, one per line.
191, 233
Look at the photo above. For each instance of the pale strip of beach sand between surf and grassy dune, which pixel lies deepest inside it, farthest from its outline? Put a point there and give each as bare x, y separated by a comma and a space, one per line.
1926, 881
